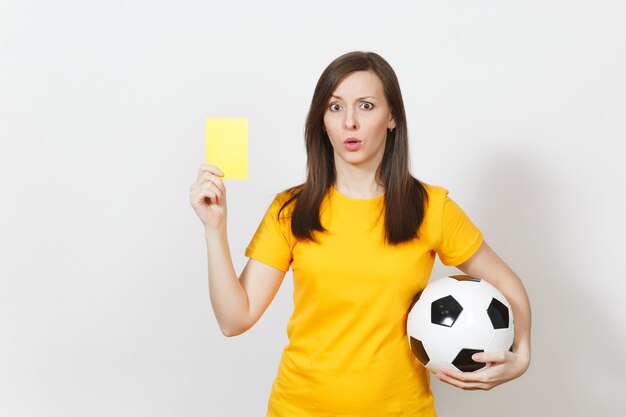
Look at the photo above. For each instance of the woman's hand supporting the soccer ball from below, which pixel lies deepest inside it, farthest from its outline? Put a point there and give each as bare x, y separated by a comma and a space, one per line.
504, 366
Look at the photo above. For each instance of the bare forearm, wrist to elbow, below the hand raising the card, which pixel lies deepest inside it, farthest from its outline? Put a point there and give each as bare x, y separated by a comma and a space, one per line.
228, 297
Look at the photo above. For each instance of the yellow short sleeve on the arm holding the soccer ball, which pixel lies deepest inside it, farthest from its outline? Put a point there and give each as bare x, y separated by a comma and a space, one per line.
460, 238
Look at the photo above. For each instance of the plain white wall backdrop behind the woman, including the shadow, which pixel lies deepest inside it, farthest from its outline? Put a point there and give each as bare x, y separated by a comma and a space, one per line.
515, 107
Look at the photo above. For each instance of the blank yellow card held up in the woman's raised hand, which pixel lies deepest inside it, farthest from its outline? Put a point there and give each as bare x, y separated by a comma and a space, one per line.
227, 145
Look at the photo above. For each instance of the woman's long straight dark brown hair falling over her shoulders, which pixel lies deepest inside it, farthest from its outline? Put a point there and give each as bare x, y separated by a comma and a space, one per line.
405, 197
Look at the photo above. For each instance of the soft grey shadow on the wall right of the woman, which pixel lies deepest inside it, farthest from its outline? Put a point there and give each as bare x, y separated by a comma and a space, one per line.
577, 358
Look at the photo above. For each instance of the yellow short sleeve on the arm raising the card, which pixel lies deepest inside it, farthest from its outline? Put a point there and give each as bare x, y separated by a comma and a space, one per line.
272, 243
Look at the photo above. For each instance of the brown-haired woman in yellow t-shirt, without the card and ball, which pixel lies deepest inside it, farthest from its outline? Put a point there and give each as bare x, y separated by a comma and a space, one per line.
361, 236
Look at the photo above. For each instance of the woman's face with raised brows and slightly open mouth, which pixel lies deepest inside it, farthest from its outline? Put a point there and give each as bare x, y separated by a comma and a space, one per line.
357, 119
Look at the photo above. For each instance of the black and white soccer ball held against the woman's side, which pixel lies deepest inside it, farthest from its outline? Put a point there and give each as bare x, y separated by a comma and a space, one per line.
455, 317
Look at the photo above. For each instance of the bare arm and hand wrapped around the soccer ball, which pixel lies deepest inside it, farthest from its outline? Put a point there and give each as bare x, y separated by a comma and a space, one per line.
487, 265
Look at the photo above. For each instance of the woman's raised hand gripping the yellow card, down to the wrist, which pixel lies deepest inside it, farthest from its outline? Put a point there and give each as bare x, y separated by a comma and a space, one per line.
208, 197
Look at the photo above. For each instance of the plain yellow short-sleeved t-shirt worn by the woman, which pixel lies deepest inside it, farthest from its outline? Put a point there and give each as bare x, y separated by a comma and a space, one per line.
348, 351
